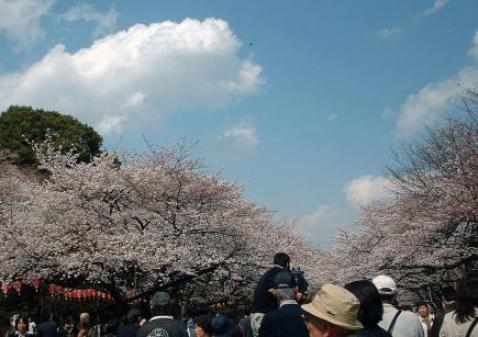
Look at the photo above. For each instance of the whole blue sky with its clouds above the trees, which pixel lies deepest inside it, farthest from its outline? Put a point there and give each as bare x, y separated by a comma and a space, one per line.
300, 102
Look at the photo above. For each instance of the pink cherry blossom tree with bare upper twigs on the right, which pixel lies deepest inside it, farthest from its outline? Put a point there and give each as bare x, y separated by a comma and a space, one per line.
426, 232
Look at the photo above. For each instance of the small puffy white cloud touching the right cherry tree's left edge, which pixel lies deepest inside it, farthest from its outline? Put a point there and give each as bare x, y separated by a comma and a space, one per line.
366, 189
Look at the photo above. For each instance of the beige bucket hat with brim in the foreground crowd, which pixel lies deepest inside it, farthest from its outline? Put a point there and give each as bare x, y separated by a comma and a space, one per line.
335, 305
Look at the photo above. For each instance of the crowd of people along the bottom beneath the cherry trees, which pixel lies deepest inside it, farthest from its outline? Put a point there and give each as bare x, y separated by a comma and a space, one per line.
281, 308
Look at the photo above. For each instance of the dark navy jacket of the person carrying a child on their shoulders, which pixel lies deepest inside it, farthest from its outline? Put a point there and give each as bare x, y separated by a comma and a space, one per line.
284, 322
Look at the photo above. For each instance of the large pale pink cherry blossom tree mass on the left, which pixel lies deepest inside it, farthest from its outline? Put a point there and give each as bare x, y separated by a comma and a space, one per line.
151, 220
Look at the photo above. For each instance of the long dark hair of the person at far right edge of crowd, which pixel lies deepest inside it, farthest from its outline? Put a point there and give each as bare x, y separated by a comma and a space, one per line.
467, 299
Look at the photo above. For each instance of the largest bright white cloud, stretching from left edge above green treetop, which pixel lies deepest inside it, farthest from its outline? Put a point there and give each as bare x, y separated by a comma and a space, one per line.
140, 74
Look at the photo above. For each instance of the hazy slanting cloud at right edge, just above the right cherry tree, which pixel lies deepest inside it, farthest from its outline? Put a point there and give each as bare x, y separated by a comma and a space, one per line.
432, 101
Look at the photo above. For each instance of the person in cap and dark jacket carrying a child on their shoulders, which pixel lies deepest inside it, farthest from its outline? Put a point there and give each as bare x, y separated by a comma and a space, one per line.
287, 319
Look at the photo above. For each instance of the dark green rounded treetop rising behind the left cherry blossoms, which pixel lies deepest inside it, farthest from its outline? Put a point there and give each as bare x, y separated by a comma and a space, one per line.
22, 125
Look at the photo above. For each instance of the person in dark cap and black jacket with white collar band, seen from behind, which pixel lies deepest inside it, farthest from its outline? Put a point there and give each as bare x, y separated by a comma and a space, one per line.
162, 324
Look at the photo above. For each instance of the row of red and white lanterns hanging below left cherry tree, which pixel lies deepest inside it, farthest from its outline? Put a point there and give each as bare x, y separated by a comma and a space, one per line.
55, 290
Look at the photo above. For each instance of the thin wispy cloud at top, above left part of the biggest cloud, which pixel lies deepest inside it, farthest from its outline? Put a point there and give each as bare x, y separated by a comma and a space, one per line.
105, 22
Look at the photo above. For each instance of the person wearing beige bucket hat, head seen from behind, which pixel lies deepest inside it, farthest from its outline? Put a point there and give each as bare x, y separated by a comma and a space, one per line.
332, 313
